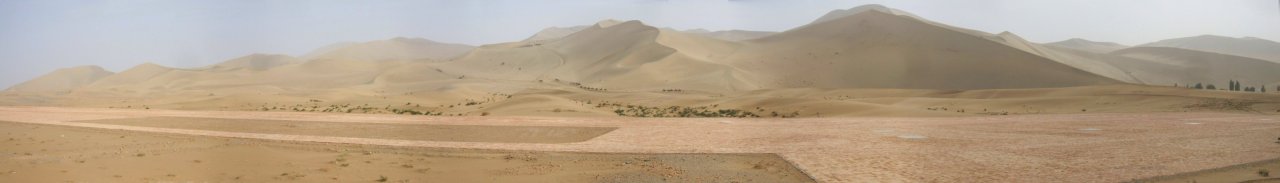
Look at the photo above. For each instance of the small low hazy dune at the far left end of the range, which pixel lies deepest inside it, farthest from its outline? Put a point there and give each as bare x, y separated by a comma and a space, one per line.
63, 80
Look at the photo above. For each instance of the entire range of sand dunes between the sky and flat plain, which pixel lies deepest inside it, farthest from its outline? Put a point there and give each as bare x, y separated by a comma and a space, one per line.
862, 62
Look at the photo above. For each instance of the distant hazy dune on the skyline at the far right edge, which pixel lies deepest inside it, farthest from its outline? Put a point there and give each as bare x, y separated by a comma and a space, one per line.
1244, 47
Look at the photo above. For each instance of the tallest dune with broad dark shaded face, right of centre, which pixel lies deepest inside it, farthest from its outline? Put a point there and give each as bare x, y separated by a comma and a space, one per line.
881, 49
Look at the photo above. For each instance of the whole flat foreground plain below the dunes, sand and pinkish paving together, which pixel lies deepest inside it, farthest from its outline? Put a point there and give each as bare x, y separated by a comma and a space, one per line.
120, 145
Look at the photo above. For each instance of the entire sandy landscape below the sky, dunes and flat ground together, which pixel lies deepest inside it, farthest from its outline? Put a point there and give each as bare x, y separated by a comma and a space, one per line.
868, 94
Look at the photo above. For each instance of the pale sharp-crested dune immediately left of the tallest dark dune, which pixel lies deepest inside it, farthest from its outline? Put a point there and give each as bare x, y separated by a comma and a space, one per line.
628, 56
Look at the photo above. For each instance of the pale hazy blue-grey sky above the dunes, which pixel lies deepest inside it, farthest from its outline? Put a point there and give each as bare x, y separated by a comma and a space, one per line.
39, 36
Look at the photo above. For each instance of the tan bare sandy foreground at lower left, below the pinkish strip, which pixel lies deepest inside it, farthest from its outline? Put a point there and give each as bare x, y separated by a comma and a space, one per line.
39, 153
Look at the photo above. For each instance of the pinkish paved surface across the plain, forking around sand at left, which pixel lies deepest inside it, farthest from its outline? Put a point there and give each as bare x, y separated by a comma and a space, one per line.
1053, 148
